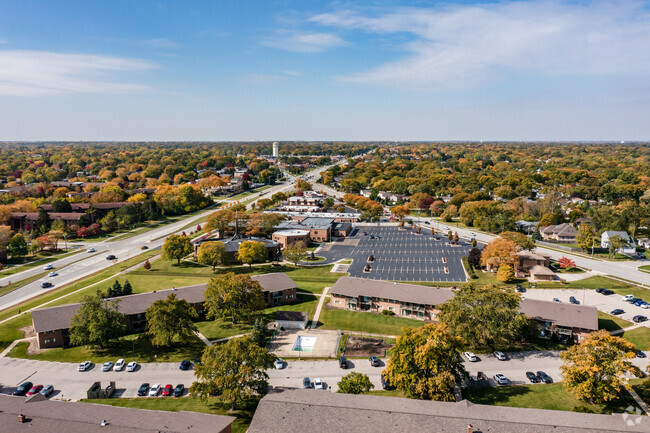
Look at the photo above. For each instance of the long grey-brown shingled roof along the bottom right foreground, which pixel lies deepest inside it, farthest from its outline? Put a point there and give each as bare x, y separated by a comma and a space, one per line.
292, 410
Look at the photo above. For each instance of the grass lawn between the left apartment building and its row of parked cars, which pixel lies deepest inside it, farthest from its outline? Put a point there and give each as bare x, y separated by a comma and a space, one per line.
122, 348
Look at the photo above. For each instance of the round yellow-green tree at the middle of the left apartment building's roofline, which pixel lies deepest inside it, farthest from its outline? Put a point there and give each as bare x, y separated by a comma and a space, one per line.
234, 297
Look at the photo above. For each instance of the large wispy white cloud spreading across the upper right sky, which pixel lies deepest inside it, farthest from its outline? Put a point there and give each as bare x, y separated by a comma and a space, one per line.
463, 46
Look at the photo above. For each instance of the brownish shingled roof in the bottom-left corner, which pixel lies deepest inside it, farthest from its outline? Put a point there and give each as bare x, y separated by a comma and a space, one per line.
52, 416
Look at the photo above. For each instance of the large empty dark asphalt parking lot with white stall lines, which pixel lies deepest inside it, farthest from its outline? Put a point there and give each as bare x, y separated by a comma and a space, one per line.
401, 255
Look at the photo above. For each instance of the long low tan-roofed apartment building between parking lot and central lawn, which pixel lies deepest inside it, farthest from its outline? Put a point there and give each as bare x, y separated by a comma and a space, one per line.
405, 300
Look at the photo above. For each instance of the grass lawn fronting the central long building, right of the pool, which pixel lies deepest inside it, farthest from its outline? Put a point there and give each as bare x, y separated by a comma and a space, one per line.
365, 322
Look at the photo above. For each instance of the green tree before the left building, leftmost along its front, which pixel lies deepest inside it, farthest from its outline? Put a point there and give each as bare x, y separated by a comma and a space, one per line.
96, 322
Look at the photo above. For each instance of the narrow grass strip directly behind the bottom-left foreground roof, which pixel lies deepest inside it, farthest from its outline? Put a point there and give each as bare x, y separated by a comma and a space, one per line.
211, 405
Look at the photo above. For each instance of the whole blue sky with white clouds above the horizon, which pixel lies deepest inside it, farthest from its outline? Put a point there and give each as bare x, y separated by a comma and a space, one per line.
242, 70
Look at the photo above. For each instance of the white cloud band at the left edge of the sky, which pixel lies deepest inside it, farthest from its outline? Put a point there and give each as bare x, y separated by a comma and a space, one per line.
34, 73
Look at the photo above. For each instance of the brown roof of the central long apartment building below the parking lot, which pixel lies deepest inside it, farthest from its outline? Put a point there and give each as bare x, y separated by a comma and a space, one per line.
351, 286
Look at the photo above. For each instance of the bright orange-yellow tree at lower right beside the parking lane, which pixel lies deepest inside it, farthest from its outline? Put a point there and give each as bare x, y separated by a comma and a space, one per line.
595, 369
